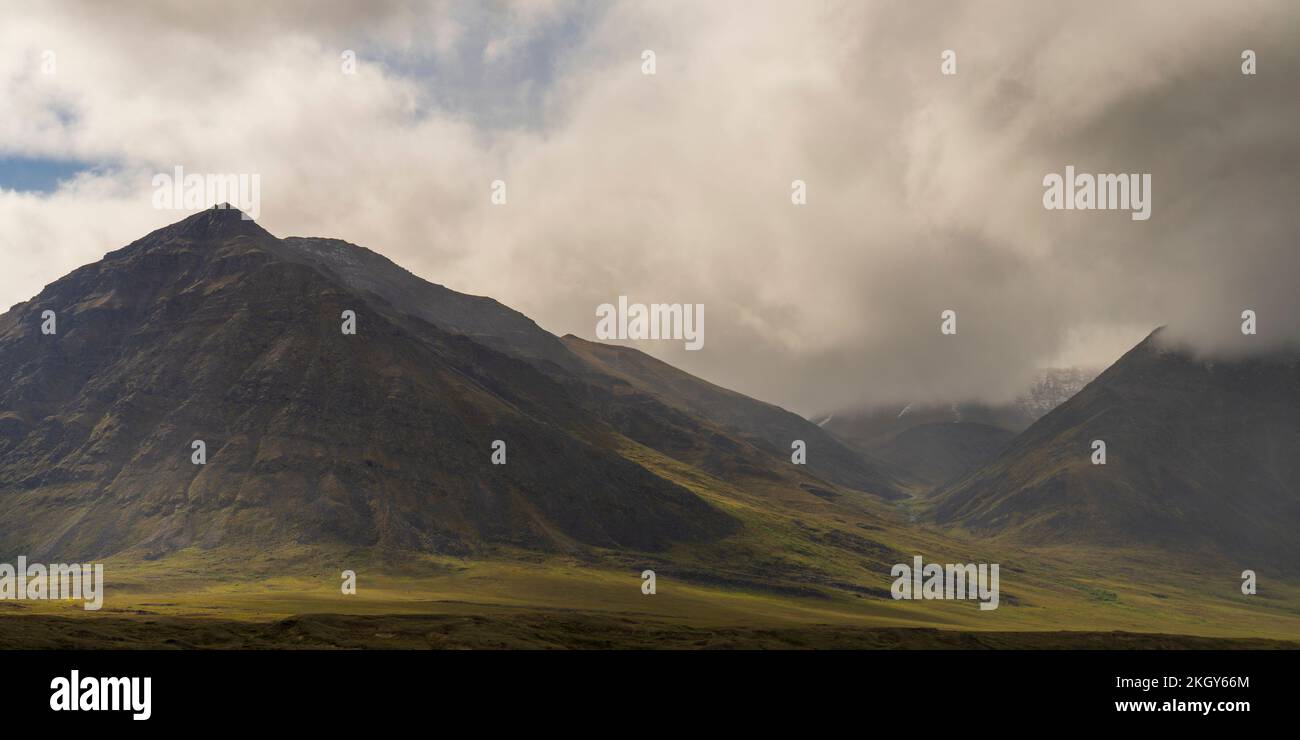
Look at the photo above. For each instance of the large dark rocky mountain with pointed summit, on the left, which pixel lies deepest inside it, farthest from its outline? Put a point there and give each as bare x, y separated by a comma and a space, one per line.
213, 330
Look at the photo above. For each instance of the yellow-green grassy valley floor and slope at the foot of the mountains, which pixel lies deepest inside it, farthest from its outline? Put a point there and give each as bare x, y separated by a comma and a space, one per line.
805, 570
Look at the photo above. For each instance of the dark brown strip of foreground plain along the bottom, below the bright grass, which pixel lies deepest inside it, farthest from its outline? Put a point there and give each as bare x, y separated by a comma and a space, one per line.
540, 631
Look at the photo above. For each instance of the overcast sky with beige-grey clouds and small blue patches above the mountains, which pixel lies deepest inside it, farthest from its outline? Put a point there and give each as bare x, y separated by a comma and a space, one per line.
925, 192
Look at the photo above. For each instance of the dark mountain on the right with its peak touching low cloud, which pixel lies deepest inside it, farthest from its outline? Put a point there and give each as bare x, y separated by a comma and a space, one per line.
1201, 456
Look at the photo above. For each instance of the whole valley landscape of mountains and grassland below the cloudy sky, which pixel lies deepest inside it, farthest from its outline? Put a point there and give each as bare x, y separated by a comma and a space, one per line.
369, 453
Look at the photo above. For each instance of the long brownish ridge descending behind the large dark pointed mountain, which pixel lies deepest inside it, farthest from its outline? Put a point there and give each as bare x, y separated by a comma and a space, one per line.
644, 399
